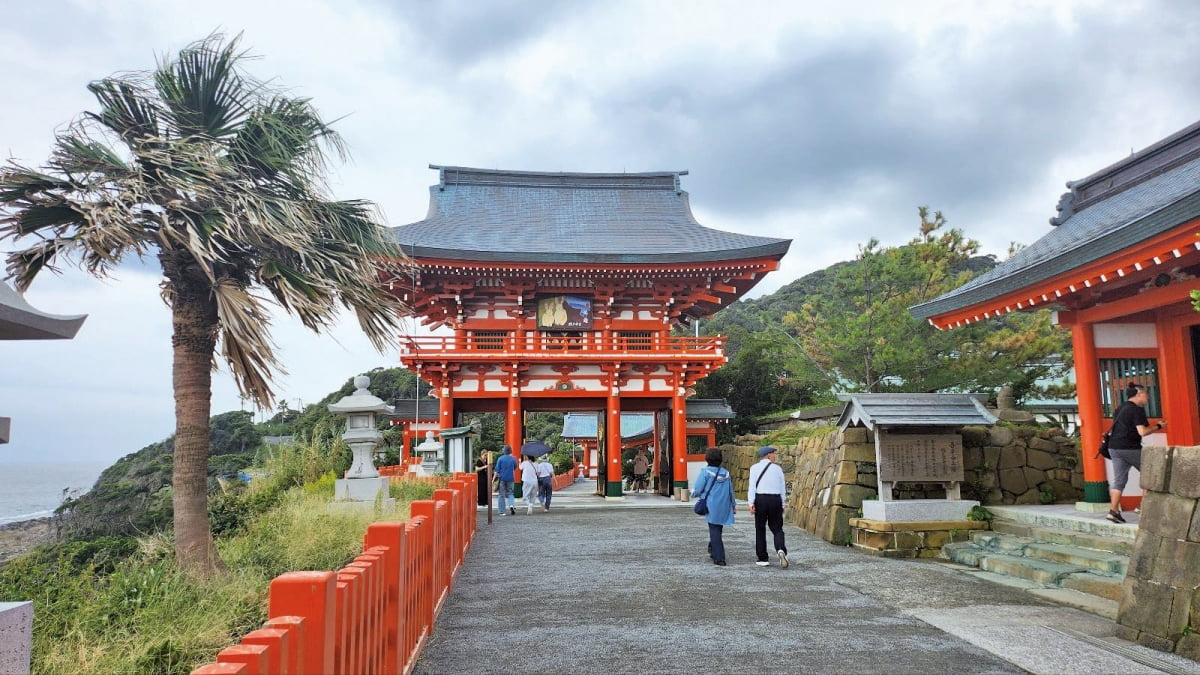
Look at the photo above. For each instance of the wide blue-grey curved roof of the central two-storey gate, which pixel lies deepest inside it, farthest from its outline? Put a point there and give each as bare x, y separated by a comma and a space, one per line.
577, 218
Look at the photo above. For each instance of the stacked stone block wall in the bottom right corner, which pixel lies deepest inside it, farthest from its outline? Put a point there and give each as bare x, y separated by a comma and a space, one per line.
1161, 596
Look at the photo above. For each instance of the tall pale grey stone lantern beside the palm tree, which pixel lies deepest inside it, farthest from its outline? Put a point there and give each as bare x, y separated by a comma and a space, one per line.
363, 483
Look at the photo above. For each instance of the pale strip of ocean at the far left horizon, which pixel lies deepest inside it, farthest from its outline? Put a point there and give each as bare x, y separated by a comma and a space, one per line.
35, 491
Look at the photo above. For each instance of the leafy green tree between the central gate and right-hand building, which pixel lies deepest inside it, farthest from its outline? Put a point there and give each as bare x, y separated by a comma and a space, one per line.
860, 336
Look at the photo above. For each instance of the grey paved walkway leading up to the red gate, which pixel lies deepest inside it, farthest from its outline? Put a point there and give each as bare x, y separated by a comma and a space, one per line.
597, 587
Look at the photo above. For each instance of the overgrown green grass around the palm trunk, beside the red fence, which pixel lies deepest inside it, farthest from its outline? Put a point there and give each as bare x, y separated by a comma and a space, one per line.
122, 606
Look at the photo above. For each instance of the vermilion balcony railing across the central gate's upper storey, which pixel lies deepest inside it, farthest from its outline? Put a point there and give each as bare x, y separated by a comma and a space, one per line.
556, 345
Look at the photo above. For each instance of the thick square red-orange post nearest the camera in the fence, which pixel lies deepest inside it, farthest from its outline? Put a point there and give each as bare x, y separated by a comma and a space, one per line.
309, 595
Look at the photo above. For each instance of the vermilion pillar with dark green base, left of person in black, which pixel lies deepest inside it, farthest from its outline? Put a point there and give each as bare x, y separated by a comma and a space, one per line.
1091, 415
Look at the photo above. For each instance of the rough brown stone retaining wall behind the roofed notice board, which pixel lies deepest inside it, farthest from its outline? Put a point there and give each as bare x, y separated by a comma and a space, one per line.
830, 474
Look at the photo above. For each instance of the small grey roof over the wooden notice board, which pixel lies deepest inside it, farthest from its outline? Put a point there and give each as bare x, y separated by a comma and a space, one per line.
914, 410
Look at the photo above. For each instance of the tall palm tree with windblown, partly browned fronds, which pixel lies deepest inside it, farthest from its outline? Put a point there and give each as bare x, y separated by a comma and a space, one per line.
221, 177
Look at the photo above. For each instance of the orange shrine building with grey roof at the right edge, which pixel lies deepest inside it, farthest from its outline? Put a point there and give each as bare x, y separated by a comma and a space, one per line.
1118, 268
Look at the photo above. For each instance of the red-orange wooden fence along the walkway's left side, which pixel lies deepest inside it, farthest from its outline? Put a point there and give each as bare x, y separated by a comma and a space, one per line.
375, 614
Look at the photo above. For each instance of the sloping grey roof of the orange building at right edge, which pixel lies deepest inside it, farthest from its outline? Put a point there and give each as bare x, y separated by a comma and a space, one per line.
1145, 195
